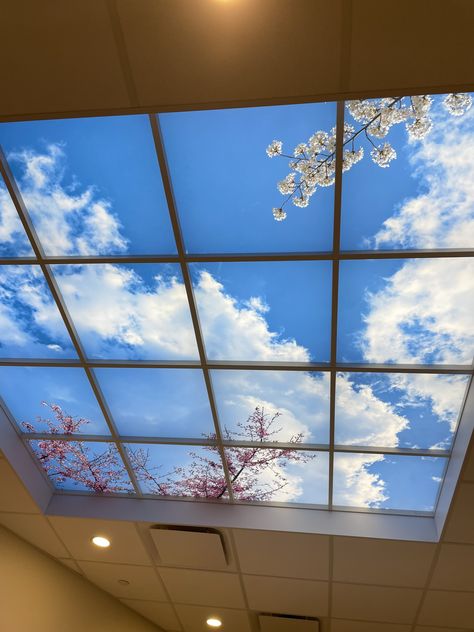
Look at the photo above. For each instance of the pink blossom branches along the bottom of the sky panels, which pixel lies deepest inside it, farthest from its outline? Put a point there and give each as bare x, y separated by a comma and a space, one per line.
103, 472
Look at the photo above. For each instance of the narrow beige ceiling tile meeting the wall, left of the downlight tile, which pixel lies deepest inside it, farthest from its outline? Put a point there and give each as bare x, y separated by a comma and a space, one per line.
36, 530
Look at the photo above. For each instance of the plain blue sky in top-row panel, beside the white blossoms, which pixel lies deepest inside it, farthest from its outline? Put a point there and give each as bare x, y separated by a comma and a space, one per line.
225, 185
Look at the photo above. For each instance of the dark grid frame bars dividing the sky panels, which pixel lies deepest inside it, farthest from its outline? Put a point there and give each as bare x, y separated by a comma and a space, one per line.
184, 259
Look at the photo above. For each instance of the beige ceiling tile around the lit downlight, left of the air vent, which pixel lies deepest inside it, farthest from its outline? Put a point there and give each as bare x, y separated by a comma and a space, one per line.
126, 546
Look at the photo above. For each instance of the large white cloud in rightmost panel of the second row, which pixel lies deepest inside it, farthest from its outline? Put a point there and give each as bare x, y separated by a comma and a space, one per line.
423, 314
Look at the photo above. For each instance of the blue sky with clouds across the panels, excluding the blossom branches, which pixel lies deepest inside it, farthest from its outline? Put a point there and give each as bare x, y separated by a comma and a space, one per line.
93, 187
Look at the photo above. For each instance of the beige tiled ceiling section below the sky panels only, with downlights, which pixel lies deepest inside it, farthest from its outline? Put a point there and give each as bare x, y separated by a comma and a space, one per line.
350, 584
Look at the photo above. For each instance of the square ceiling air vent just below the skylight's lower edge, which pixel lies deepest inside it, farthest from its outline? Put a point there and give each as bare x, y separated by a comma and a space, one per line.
197, 549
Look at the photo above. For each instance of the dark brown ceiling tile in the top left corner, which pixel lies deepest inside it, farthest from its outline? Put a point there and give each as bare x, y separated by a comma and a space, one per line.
68, 59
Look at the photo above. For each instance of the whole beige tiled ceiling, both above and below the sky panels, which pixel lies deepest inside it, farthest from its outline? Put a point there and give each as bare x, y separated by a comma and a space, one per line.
97, 56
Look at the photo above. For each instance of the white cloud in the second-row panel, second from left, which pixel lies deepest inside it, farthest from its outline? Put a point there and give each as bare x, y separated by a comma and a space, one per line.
118, 314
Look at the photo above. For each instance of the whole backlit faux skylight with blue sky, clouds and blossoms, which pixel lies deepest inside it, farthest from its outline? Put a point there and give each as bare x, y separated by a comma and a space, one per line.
175, 317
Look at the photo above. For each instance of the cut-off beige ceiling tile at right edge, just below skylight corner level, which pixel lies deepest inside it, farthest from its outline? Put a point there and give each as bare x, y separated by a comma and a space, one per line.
455, 568
